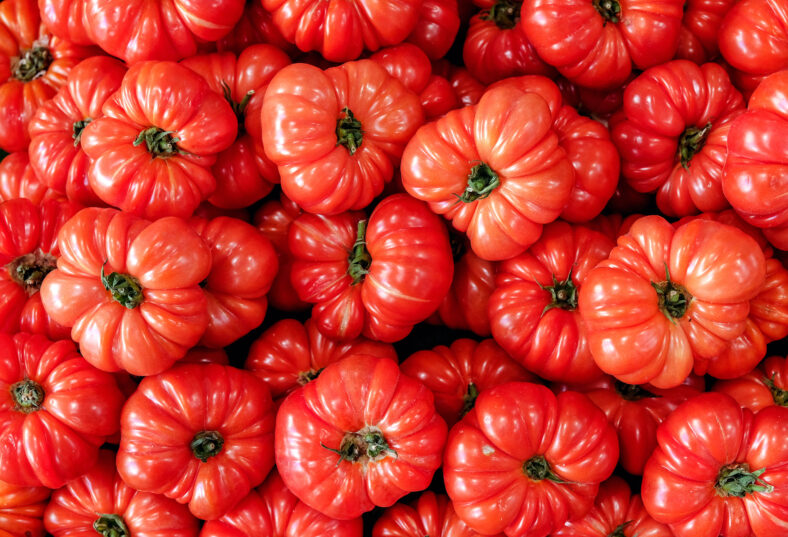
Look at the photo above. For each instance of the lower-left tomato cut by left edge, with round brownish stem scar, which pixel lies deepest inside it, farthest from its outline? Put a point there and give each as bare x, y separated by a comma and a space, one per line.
56, 412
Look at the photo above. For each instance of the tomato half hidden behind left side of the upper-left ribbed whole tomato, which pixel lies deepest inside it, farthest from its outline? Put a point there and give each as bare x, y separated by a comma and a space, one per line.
55, 149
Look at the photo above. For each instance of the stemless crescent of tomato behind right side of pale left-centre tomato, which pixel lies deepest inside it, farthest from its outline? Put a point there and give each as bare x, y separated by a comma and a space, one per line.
243, 267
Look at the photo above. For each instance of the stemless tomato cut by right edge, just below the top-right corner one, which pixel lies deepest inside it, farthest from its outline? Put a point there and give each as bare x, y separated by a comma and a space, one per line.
756, 168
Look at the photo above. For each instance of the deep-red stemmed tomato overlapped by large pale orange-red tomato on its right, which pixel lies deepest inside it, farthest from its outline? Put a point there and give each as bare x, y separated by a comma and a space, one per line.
533, 309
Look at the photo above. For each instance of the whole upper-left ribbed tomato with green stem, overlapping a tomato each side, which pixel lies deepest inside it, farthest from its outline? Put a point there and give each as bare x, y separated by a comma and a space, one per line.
152, 150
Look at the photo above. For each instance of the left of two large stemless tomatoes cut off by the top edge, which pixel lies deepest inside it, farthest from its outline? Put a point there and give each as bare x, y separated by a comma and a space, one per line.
138, 30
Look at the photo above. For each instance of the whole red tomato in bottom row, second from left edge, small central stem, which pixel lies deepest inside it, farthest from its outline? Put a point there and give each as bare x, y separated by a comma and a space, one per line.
201, 434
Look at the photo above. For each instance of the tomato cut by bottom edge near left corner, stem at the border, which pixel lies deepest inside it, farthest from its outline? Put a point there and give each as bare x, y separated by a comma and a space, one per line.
100, 502
